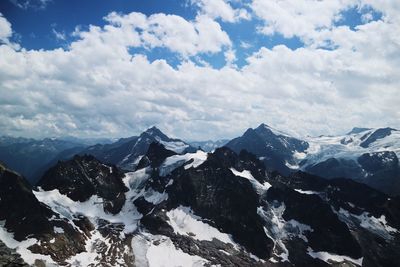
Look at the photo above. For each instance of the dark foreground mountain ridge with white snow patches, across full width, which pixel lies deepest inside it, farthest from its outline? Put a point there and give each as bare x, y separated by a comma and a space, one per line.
195, 209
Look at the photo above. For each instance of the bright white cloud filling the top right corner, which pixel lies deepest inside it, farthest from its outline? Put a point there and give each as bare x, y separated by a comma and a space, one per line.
309, 19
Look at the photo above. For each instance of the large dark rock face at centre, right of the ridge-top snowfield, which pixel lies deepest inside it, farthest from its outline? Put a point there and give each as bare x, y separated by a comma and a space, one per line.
213, 192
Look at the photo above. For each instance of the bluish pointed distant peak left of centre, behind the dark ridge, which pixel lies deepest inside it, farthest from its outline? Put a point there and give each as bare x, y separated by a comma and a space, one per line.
127, 152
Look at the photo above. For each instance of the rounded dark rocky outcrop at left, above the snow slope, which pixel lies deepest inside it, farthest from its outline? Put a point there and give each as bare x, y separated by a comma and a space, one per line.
85, 176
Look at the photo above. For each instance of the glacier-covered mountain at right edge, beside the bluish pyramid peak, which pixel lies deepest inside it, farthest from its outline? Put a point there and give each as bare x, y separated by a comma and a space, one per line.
367, 155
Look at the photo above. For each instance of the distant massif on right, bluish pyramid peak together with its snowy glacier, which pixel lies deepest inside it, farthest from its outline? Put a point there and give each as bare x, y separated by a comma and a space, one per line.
366, 155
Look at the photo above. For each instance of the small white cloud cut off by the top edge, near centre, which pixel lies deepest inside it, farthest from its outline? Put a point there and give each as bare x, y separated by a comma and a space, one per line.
221, 9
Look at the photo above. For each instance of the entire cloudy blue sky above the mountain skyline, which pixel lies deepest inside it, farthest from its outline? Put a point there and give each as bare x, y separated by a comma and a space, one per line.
197, 69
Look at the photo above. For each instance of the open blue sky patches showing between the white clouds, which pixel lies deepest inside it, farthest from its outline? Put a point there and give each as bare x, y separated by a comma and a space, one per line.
35, 24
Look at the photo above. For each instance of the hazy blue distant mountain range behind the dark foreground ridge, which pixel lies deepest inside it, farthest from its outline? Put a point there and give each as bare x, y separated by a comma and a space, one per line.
366, 155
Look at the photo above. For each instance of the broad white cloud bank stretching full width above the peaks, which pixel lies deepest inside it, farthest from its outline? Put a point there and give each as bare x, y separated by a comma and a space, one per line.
96, 87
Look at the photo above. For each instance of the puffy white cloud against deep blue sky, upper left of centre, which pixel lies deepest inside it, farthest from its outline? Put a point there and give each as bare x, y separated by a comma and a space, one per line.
188, 38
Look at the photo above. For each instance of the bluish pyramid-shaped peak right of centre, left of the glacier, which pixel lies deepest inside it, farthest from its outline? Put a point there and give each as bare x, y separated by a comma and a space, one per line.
275, 149
